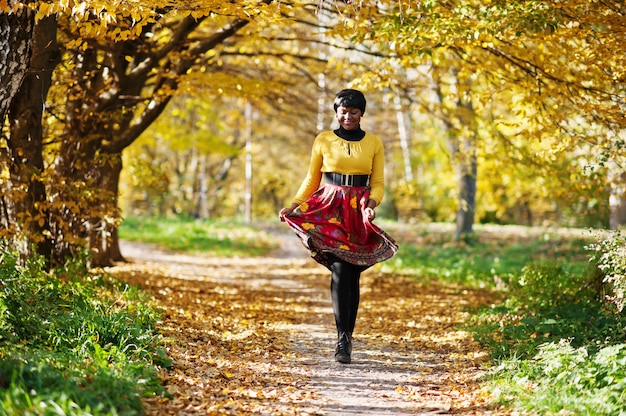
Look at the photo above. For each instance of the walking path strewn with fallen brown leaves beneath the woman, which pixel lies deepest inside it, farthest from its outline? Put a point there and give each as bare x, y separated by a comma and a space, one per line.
255, 336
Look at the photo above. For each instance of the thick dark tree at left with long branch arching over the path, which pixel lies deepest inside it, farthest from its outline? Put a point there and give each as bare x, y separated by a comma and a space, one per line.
122, 63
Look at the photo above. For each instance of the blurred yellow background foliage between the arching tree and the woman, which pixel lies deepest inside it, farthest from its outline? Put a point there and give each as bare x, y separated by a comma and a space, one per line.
196, 152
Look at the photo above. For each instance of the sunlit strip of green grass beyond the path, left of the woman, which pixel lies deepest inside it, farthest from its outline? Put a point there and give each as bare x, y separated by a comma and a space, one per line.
211, 237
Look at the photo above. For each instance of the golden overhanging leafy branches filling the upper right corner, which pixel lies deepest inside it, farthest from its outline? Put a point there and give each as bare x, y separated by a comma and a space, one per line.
568, 53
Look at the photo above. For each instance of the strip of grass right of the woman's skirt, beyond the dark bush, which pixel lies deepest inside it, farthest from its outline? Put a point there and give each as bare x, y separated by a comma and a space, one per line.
491, 257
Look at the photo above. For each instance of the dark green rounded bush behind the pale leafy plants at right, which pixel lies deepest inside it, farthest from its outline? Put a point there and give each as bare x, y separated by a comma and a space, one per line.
543, 304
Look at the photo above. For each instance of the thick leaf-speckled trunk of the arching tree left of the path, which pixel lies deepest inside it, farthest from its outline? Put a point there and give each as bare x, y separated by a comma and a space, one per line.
85, 185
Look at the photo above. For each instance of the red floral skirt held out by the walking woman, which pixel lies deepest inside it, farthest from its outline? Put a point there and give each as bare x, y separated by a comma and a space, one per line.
331, 225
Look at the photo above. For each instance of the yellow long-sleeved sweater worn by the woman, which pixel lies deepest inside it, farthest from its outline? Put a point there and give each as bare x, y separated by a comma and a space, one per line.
331, 153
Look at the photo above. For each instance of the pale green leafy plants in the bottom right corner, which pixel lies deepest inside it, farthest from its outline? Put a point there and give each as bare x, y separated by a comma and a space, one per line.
562, 379
